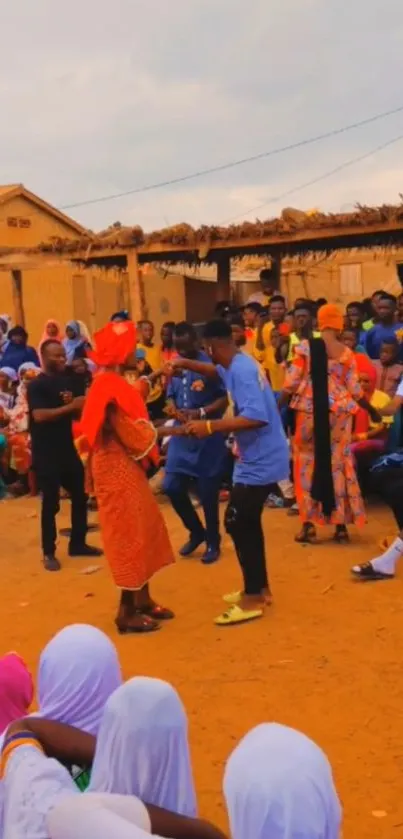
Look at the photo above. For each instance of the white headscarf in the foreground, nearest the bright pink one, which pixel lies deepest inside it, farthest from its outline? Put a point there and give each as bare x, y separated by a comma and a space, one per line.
78, 671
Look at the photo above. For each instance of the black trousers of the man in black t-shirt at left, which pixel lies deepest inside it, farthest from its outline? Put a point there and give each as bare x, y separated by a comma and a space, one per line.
71, 478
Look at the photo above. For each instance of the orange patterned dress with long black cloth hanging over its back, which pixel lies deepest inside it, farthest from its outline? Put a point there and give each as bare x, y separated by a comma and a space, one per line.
344, 390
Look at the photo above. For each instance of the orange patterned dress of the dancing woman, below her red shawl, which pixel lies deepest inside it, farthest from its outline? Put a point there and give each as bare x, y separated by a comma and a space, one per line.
134, 533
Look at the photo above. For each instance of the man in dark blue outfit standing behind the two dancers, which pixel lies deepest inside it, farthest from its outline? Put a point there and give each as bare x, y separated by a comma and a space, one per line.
193, 396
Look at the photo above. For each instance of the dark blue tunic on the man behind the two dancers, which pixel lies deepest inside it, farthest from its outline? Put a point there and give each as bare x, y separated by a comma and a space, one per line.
187, 455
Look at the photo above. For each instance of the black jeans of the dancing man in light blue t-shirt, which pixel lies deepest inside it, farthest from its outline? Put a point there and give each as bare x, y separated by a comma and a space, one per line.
243, 522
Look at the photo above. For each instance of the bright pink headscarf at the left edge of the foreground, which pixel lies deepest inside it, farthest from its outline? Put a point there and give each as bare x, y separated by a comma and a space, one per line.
16, 689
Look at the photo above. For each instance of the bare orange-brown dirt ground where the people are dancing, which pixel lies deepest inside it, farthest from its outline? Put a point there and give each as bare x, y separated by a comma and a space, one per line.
327, 659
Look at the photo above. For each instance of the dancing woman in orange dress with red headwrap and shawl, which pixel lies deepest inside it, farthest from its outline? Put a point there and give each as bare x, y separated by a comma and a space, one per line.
120, 444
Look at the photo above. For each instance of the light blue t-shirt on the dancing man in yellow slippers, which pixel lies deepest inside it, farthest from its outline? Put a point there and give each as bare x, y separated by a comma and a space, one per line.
263, 452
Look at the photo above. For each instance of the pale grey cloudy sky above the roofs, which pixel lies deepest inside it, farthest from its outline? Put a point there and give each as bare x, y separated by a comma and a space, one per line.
98, 98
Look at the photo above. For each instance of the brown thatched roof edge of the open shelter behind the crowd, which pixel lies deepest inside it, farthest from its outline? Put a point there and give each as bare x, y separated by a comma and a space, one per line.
293, 232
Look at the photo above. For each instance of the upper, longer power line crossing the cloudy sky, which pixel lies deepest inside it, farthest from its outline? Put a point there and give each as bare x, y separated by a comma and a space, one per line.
231, 165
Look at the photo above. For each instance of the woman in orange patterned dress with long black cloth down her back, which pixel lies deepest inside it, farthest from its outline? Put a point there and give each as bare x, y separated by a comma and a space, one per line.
323, 382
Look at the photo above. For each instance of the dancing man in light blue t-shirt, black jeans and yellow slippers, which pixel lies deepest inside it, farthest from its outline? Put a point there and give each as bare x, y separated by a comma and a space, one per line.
262, 460
